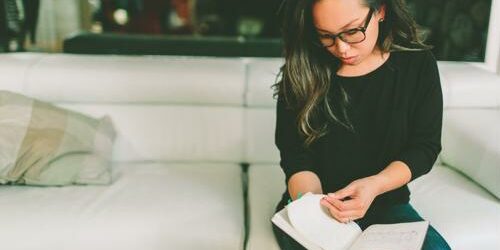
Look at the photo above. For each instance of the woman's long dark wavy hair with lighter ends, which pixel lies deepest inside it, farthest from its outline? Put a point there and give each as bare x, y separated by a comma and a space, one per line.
305, 78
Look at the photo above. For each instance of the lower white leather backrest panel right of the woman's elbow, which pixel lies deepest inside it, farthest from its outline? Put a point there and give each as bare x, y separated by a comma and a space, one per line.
471, 144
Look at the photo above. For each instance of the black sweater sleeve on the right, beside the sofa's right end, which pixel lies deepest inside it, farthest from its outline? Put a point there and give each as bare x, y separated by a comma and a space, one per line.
424, 141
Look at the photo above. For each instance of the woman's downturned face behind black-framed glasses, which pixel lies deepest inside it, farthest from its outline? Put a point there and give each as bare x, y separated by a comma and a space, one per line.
335, 16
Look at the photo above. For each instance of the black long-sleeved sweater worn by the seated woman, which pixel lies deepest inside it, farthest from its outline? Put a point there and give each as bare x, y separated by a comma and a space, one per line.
396, 111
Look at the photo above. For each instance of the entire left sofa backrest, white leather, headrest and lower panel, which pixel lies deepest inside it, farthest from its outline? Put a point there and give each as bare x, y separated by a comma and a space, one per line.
163, 109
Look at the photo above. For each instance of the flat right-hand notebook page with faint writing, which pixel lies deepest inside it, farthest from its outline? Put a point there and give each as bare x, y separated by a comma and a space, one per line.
399, 236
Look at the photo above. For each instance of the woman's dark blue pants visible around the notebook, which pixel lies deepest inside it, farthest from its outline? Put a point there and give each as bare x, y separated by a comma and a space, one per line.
394, 214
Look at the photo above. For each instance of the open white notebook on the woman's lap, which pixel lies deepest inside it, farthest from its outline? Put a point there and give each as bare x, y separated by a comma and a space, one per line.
310, 224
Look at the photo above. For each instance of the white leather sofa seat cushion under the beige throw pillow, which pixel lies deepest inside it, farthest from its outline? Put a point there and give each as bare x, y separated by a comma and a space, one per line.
150, 206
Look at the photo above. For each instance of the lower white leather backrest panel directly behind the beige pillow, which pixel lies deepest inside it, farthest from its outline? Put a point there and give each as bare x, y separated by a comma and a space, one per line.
180, 133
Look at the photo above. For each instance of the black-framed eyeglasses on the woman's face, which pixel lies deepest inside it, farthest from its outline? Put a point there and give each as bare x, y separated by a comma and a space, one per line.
351, 36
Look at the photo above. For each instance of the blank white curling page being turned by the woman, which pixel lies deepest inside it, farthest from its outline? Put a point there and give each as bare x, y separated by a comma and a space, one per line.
315, 223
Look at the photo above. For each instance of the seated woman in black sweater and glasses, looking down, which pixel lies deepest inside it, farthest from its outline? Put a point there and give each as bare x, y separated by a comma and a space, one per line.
359, 110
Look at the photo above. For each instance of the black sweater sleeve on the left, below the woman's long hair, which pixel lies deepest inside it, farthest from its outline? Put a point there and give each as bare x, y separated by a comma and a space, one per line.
294, 157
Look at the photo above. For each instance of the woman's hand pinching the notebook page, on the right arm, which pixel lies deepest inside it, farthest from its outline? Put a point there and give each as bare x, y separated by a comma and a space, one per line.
361, 192
